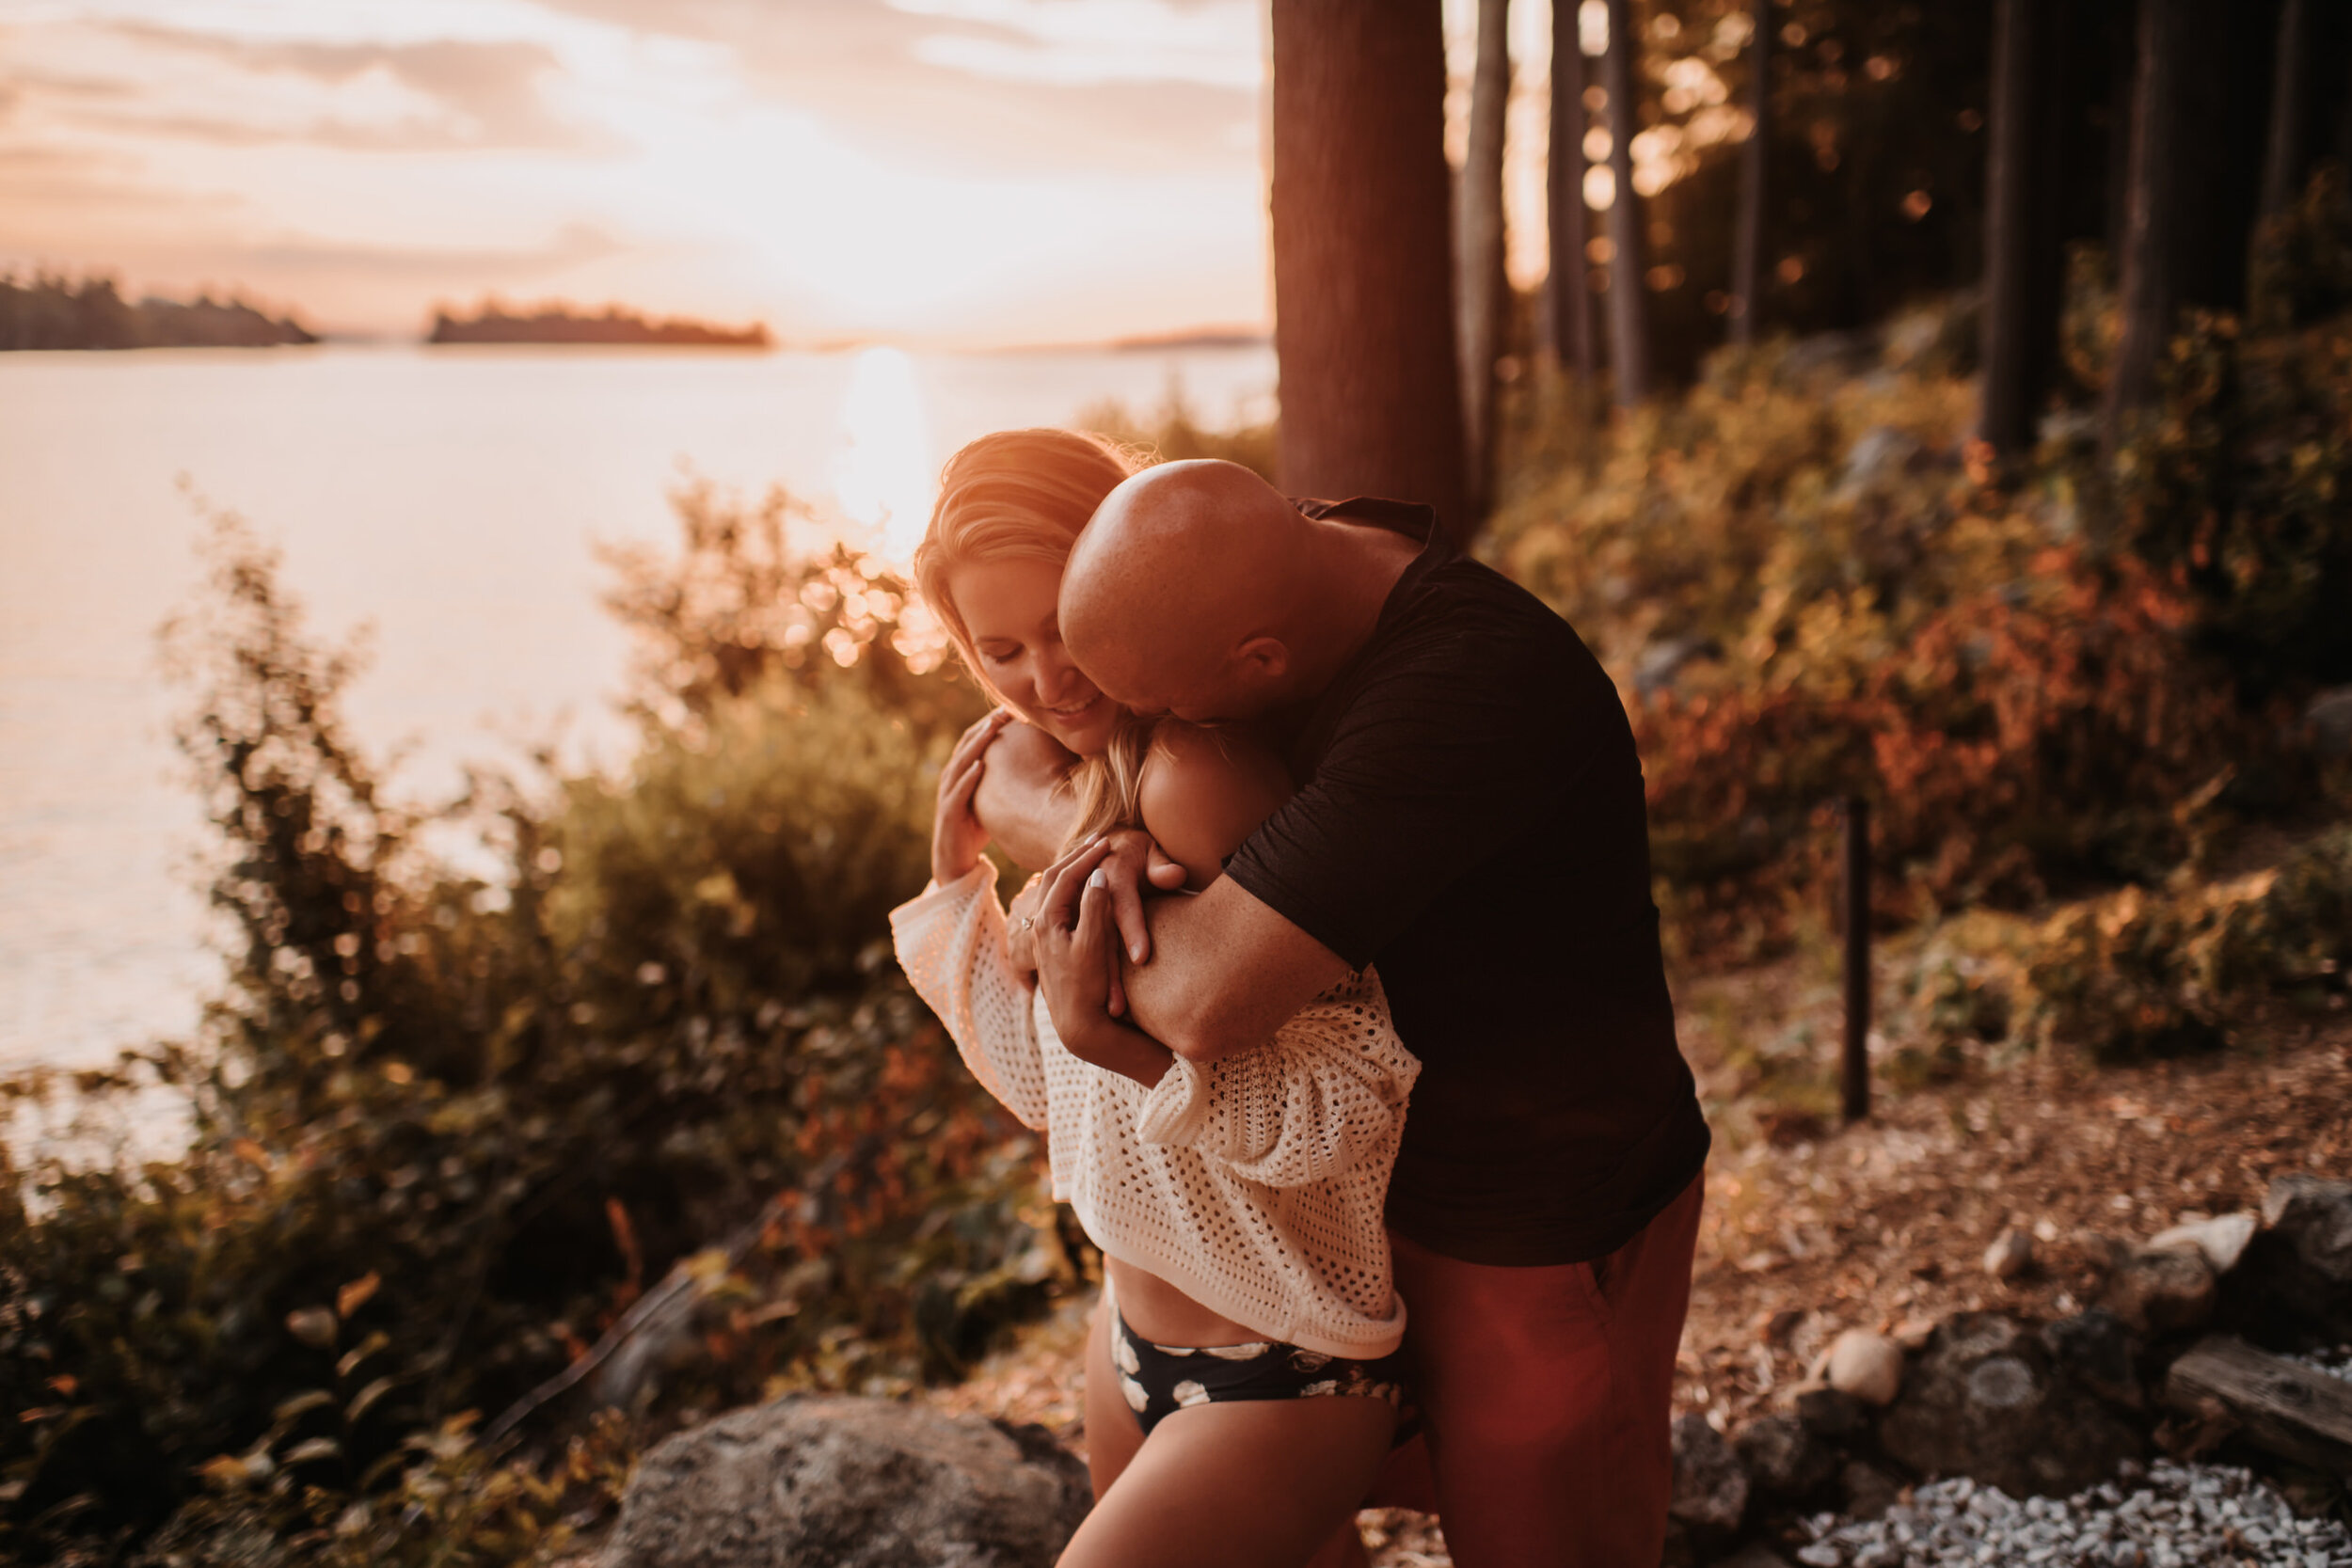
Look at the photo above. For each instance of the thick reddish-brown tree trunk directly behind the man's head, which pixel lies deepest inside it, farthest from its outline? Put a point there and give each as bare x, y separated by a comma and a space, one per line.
1363, 255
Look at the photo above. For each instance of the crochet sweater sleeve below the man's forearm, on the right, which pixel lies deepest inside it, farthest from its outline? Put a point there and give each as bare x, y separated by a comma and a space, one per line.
1309, 1104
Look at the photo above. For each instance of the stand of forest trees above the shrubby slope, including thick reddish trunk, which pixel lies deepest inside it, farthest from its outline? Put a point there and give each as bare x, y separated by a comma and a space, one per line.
1826, 163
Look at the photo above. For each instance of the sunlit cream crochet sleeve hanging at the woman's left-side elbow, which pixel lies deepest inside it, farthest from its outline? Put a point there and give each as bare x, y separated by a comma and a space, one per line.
951, 944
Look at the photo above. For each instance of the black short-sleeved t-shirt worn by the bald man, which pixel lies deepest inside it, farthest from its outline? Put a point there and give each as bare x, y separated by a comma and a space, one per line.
1471, 822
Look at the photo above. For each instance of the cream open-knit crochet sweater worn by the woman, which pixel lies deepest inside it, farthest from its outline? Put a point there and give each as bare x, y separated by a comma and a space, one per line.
1255, 1186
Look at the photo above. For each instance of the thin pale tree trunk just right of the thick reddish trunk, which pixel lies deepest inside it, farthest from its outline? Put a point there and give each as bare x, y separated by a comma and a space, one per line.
1478, 250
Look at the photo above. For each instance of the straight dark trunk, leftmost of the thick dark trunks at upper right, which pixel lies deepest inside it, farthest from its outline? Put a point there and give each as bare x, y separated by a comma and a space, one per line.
2024, 253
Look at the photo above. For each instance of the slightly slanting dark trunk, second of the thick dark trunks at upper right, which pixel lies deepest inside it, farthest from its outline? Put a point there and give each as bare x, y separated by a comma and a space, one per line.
2153, 241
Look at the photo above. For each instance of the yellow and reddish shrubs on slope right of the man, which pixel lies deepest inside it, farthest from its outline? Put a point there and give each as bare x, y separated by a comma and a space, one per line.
1812, 589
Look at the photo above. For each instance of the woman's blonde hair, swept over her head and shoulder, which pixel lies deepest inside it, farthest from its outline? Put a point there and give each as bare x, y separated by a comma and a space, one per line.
1024, 495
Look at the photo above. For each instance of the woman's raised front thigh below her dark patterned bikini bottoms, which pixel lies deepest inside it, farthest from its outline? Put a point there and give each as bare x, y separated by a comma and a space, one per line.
1248, 1485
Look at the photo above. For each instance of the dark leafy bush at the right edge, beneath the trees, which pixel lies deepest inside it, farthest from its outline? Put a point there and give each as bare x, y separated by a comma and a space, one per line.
2240, 483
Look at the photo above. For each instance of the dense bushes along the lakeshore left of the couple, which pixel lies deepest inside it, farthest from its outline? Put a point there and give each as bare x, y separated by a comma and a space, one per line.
450, 1127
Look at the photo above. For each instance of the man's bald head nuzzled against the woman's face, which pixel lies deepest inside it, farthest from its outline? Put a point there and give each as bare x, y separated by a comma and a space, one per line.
1184, 589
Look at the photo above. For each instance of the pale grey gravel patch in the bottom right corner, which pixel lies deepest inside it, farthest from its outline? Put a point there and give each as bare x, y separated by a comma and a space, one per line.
2170, 1517
